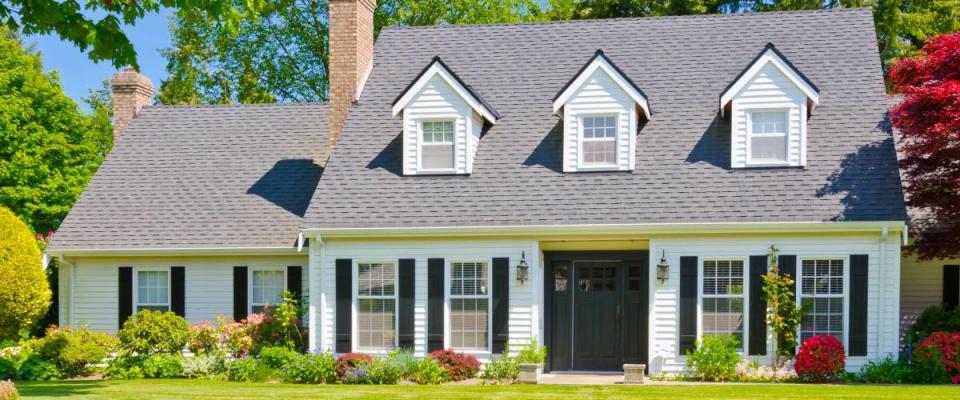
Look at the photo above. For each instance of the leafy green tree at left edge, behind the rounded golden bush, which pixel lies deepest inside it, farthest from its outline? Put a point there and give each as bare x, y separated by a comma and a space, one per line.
49, 149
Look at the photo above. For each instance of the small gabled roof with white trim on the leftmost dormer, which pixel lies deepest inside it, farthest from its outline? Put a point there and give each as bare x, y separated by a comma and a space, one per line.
438, 68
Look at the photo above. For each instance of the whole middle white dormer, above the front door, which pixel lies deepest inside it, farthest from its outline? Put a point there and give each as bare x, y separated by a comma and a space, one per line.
600, 108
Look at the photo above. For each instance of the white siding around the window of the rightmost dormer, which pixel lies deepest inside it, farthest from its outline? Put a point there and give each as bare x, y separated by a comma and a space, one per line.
769, 89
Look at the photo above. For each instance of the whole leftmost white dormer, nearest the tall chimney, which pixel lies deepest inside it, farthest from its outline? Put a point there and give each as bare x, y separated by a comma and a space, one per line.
442, 122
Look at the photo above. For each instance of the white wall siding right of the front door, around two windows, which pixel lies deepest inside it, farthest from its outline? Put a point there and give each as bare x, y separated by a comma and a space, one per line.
883, 286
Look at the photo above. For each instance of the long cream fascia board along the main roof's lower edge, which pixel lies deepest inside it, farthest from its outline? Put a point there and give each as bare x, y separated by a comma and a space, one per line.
551, 231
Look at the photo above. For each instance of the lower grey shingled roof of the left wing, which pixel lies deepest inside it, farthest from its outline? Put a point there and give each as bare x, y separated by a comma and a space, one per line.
201, 177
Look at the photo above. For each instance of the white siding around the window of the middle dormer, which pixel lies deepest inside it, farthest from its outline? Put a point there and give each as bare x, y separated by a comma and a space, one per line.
599, 95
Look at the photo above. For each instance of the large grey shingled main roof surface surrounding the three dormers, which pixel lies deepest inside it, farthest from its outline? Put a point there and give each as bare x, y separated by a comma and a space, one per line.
683, 169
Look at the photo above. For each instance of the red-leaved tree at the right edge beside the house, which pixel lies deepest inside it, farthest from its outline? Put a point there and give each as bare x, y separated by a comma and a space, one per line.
928, 119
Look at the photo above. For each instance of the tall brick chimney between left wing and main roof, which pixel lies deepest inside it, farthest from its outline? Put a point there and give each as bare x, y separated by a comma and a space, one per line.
351, 57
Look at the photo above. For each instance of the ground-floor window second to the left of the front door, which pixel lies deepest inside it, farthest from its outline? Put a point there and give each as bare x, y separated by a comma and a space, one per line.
376, 302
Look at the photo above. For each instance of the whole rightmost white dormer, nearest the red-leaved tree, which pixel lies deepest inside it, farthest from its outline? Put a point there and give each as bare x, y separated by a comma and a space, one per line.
768, 104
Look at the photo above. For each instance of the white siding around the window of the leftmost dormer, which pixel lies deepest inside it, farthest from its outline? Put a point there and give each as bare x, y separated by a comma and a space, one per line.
437, 100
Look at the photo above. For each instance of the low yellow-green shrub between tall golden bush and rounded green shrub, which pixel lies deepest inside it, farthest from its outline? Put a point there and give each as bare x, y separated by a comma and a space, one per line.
73, 351
